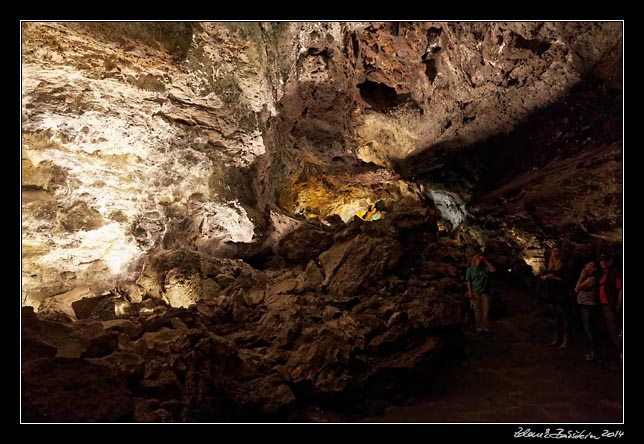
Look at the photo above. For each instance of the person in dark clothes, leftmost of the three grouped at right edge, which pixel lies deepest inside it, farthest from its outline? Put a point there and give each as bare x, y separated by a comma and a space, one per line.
556, 298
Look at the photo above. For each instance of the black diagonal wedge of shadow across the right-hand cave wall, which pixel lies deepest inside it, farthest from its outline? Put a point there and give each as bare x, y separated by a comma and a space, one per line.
591, 113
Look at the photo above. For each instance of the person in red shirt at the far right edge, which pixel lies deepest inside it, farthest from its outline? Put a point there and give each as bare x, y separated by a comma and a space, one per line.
610, 297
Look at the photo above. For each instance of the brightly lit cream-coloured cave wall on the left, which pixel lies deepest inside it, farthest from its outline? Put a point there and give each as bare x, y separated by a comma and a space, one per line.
136, 136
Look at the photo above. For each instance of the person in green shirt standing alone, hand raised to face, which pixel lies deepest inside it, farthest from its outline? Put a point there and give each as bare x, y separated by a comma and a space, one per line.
477, 289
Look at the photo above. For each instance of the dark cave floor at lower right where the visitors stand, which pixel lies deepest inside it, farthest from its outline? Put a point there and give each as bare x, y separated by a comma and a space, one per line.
513, 376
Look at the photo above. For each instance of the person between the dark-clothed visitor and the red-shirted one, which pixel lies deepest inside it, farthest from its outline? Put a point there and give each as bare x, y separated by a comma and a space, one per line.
588, 299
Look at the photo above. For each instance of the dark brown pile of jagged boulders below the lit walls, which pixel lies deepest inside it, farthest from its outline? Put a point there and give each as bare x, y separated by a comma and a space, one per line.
203, 339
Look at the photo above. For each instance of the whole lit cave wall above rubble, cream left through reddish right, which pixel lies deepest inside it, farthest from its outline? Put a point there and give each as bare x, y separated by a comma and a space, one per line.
146, 136
